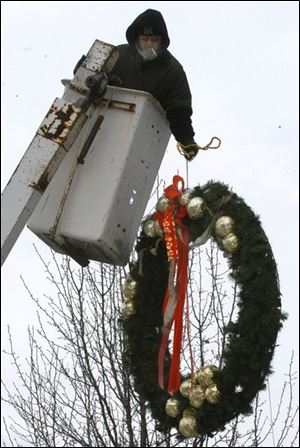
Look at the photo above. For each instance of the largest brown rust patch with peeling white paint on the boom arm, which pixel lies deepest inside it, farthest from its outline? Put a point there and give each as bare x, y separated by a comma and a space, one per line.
59, 121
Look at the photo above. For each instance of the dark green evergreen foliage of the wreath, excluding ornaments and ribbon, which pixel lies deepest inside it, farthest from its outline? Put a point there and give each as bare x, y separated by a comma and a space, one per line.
250, 340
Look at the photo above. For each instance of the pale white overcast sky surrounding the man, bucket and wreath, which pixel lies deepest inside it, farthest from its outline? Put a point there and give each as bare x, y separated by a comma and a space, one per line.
241, 60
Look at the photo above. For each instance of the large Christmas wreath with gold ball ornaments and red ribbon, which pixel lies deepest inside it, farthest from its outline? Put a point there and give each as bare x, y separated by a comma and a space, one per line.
205, 402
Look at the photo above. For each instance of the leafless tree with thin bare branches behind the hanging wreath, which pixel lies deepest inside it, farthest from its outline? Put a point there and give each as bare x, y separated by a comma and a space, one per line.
75, 389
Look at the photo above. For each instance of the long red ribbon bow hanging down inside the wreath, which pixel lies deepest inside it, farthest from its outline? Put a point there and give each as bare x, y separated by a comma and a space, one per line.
177, 250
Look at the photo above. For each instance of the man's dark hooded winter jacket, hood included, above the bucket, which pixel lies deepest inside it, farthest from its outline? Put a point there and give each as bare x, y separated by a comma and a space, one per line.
163, 76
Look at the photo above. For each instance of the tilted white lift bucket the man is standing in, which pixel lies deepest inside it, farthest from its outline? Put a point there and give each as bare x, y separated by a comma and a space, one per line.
108, 194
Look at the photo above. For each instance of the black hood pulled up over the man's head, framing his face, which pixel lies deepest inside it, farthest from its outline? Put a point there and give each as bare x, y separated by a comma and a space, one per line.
149, 22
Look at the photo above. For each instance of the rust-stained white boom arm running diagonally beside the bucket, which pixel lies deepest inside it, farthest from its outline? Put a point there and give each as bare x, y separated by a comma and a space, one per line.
52, 141
